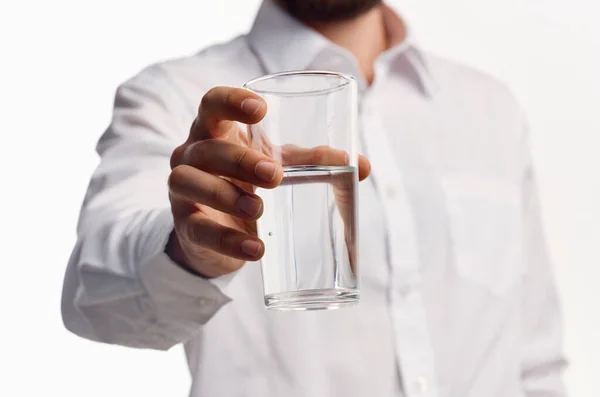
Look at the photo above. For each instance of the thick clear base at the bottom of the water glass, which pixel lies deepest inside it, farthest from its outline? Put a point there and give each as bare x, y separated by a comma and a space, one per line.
313, 299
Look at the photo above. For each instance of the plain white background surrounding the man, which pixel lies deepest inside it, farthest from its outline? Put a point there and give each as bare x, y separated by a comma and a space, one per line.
61, 61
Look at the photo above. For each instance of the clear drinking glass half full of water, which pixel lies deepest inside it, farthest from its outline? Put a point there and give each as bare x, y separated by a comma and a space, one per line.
309, 223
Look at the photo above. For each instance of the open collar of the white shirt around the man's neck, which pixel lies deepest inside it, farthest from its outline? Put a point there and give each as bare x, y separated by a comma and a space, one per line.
283, 43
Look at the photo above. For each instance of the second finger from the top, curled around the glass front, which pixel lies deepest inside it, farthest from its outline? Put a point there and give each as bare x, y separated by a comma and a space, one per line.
234, 161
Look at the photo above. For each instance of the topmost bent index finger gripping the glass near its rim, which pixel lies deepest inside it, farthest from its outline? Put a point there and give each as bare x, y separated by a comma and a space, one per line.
221, 107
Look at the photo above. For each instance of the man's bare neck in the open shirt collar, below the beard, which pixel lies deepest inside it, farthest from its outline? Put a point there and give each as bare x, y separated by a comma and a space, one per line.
364, 37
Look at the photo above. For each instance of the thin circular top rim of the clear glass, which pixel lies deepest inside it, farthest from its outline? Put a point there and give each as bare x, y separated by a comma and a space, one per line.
346, 80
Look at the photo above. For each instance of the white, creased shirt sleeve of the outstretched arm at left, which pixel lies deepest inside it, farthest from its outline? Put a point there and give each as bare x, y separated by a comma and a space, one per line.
120, 287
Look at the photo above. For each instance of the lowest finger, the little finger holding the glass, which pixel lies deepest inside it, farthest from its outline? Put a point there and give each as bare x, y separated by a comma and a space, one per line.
198, 229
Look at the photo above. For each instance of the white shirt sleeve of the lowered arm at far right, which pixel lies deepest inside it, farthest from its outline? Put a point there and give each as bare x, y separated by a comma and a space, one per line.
543, 361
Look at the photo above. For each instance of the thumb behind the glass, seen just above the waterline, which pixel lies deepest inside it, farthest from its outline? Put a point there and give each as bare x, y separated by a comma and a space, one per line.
322, 155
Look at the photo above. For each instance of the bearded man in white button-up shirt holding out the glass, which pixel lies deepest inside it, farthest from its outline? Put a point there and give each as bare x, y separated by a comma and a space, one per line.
457, 295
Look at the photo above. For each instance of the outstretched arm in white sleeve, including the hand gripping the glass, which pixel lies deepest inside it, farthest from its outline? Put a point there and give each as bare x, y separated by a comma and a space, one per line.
149, 195
